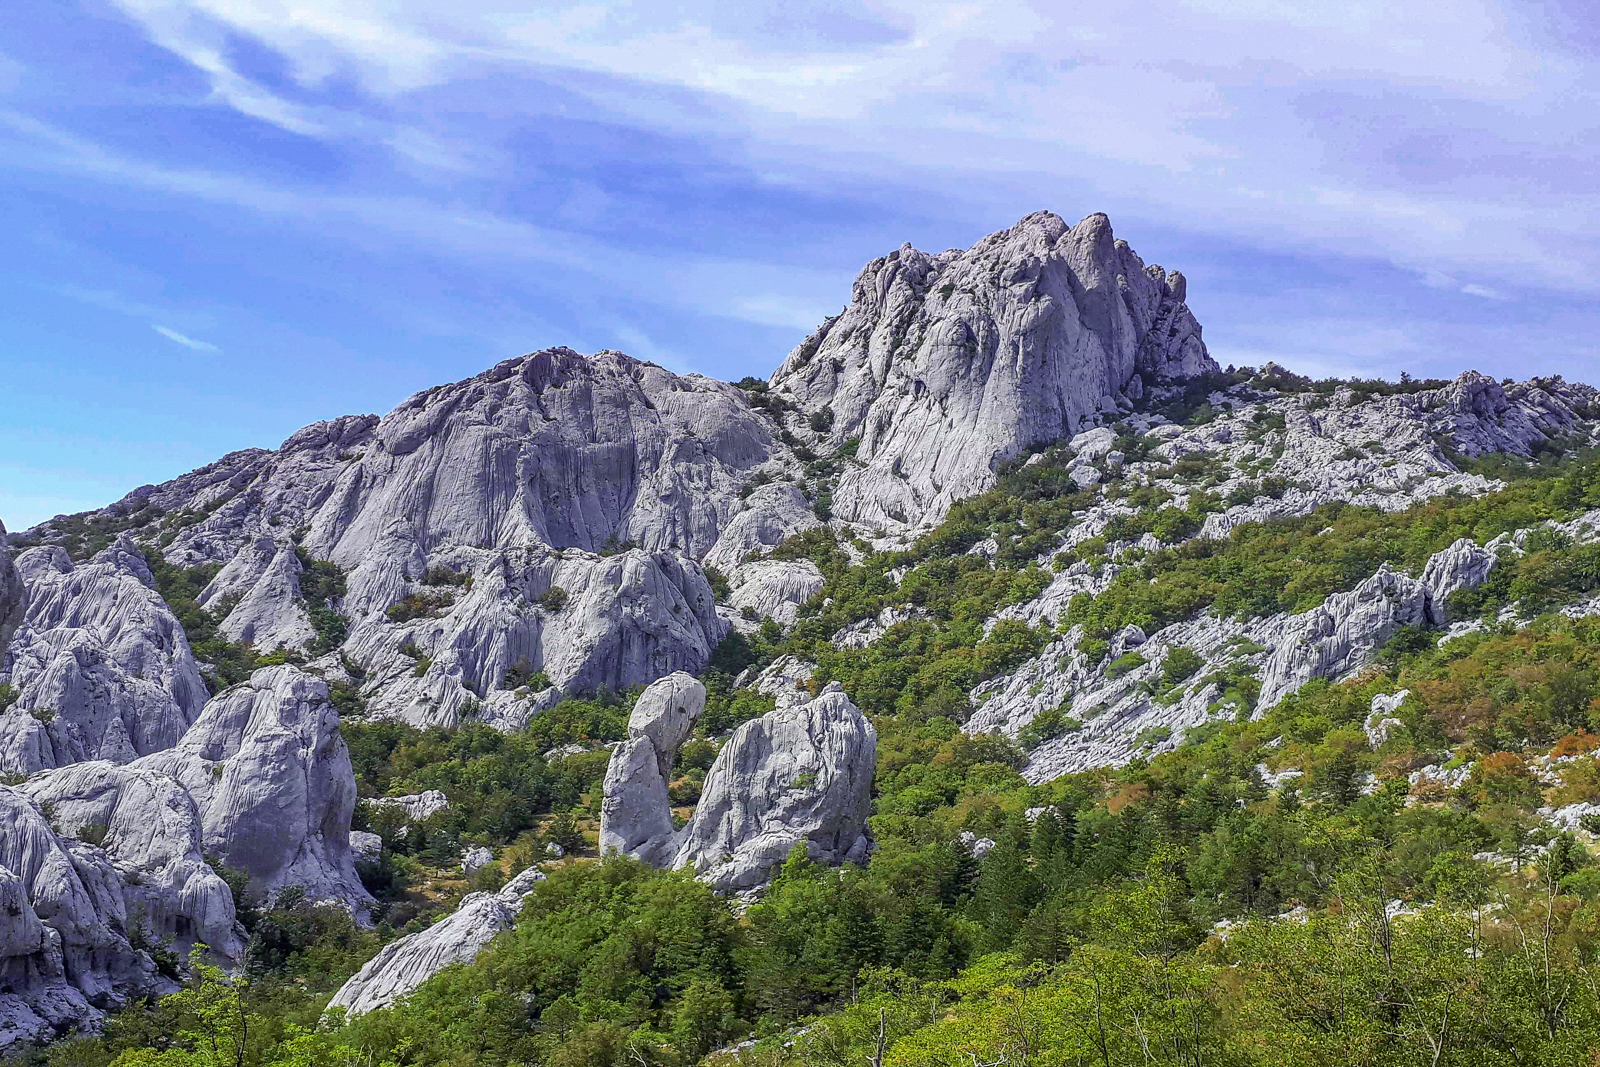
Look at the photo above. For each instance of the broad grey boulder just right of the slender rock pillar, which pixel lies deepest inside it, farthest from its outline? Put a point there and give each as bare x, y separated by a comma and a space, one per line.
799, 775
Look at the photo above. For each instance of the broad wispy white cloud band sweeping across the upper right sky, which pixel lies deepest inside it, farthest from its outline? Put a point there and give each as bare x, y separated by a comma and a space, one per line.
1210, 118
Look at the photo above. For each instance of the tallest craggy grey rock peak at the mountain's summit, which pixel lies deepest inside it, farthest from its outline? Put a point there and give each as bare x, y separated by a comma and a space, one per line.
943, 366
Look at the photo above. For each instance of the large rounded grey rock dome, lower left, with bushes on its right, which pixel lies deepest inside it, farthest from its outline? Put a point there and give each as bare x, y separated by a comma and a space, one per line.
271, 780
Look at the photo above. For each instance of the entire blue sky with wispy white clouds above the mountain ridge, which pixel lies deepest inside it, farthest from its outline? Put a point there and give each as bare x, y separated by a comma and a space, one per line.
228, 218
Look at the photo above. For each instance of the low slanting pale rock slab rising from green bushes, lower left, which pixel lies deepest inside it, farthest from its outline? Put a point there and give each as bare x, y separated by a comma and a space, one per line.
407, 964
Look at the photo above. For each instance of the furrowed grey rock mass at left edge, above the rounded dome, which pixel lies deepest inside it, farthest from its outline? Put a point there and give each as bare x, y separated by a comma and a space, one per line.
100, 663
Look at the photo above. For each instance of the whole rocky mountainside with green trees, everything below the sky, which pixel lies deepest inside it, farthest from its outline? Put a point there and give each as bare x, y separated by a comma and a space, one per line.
999, 681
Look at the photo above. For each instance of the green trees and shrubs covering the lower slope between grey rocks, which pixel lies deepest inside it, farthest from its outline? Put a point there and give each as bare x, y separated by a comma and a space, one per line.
1180, 909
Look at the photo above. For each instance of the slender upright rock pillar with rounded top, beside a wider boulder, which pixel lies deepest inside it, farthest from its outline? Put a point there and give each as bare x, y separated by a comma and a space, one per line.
636, 817
